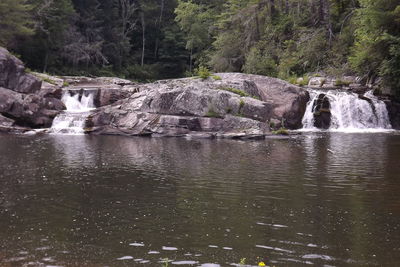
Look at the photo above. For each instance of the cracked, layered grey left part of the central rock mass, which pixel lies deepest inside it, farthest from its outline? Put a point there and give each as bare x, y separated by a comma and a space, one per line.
182, 107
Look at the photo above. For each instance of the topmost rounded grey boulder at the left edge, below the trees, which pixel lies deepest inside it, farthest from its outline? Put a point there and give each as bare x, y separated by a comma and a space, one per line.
13, 76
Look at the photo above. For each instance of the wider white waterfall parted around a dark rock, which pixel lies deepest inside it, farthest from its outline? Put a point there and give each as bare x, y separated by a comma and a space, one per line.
349, 112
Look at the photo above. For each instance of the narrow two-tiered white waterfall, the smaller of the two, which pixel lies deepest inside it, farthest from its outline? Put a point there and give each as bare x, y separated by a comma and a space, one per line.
73, 119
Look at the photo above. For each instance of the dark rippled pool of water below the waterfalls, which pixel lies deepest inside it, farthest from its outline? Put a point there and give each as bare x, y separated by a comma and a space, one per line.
322, 199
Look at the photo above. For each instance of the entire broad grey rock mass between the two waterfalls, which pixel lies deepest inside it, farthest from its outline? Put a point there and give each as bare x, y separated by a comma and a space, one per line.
188, 106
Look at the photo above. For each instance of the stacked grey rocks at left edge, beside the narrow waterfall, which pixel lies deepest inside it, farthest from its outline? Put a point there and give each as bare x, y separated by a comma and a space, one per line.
22, 103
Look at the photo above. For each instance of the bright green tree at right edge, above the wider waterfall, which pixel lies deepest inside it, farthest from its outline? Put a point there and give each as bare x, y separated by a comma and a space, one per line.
377, 47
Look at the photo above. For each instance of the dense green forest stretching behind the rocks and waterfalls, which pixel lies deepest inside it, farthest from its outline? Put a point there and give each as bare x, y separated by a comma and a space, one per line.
154, 39
